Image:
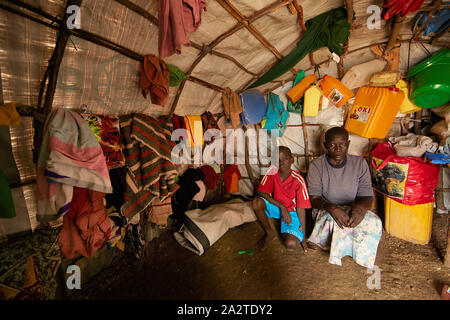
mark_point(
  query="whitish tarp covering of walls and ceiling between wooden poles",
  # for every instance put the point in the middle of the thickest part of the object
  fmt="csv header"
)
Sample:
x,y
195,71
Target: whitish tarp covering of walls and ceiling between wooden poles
x,y
108,82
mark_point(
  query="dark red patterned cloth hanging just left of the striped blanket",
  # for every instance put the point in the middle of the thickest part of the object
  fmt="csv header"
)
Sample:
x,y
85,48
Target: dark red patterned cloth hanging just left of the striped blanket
x,y
106,130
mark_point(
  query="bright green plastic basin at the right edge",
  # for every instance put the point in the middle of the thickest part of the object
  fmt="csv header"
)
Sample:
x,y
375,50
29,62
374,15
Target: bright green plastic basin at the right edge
x,y
430,80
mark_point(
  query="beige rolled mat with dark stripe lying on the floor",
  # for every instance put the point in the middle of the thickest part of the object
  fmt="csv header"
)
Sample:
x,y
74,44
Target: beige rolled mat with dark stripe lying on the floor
x,y
203,228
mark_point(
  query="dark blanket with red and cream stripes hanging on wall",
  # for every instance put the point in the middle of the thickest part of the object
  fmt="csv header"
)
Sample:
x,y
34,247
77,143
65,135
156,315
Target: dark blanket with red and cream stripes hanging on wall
x,y
150,173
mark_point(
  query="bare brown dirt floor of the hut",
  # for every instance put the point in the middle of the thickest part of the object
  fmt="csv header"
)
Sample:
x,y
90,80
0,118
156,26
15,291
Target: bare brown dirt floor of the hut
x,y
408,271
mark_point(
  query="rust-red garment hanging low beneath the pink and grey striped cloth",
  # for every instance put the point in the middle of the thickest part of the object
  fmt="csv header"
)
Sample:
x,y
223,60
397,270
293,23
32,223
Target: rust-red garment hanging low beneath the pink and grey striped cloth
x,y
86,225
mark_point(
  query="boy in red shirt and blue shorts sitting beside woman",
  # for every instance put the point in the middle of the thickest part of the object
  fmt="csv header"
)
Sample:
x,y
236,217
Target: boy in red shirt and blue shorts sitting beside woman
x,y
282,193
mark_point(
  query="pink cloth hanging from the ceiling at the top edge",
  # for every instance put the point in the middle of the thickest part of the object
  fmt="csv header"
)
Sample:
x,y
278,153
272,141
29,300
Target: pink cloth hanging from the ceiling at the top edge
x,y
176,17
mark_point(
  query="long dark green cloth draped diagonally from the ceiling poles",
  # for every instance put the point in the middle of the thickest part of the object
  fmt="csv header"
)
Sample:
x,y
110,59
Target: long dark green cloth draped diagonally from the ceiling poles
x,y
328,29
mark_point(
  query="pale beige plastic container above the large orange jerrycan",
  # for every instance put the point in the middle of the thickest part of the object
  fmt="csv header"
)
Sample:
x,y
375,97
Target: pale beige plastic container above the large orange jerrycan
x,y
359,75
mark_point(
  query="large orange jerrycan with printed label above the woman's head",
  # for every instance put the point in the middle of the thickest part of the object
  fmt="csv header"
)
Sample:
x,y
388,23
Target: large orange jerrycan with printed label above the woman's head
x,y
374,111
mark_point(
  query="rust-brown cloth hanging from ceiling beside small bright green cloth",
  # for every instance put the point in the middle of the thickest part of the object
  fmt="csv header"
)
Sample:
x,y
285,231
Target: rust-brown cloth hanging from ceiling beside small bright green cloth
x,y
155,79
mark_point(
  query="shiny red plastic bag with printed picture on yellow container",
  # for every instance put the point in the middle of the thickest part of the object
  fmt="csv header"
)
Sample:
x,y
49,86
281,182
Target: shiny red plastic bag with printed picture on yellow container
x,y
408,180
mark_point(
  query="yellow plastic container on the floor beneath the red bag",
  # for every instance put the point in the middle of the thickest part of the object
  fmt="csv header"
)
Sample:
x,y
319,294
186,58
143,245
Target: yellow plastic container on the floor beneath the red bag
x,y
410,223
